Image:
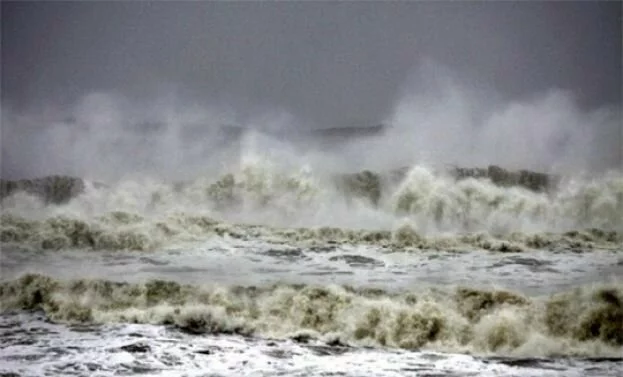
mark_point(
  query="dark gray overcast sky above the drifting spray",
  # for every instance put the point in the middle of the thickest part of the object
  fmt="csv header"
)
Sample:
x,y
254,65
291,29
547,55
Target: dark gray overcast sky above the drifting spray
x,y
327,62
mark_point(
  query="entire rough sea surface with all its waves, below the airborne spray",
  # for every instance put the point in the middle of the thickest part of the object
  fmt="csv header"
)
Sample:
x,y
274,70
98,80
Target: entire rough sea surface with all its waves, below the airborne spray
x,y
271,271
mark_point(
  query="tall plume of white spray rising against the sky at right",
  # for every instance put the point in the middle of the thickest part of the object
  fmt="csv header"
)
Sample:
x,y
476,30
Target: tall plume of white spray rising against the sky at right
x,y
450,121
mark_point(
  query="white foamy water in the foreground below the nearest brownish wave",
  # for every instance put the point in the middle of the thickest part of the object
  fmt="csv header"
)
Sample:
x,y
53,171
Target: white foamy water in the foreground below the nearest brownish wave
x,y
34,347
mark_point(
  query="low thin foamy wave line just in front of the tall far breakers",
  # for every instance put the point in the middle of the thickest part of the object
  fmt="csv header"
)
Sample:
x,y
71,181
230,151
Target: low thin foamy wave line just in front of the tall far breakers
x,y
127,231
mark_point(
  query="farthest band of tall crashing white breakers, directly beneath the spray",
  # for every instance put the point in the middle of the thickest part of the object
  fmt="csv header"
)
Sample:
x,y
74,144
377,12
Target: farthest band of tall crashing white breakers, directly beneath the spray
x,y
420,207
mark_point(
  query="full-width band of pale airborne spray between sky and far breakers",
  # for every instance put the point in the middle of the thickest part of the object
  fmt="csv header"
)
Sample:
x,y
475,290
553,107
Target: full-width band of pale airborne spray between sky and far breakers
x,y
436,119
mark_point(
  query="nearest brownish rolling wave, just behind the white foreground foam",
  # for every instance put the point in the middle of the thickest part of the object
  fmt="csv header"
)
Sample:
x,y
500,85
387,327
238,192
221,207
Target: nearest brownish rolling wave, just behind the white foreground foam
x,y
585,322
